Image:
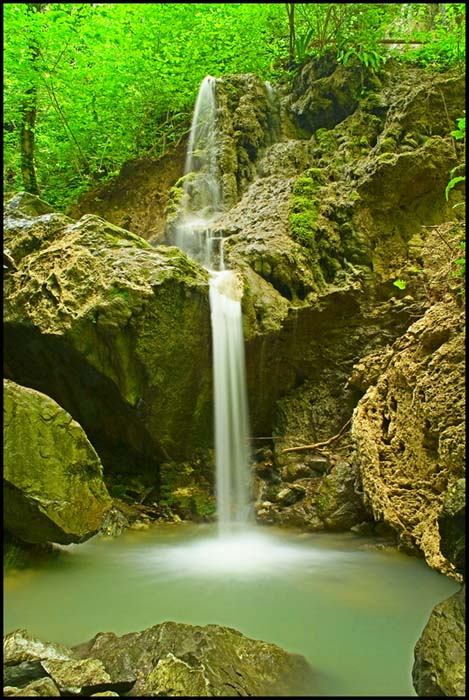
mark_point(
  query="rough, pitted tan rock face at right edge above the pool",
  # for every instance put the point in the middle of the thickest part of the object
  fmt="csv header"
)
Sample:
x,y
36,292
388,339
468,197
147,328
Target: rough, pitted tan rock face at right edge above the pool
x,y
409,431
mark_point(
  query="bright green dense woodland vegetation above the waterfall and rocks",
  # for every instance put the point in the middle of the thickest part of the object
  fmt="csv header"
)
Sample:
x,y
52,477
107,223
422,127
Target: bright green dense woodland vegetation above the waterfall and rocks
x,y
89,86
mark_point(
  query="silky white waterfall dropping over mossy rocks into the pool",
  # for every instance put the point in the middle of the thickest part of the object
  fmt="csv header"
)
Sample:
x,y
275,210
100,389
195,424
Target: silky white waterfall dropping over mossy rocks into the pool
x,y
202,205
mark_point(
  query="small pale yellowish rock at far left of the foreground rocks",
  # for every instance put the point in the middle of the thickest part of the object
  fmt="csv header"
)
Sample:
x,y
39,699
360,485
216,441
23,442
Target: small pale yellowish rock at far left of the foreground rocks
x,y
20,646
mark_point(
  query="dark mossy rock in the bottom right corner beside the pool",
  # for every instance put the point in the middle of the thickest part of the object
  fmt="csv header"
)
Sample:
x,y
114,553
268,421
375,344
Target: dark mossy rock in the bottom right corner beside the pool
x,y
440,654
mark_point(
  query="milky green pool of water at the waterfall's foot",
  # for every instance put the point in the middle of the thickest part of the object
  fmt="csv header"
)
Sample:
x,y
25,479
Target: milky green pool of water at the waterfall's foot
x,y
353,612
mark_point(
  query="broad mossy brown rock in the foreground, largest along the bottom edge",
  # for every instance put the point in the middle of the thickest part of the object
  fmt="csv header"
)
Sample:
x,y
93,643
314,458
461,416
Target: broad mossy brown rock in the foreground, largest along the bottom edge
x,y
185,660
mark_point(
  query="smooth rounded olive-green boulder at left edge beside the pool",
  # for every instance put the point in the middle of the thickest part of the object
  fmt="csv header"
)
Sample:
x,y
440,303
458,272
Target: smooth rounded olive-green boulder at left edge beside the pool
x,y
53,478
